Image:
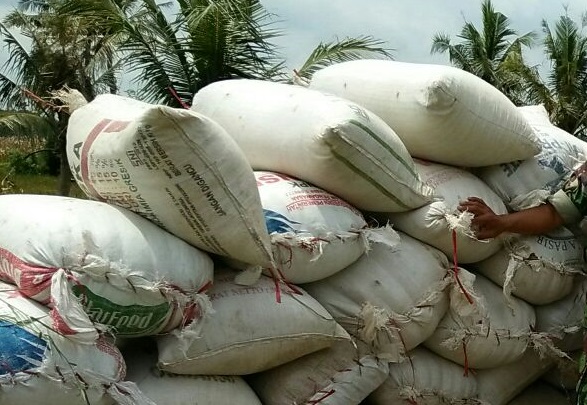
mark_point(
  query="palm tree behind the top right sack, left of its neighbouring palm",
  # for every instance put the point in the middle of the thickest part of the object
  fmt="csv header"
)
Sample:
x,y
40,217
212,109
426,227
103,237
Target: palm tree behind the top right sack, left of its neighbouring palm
x,y
486,53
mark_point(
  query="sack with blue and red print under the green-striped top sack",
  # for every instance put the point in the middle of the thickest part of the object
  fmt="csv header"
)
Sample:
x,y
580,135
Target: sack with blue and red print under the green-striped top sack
x,y
314,233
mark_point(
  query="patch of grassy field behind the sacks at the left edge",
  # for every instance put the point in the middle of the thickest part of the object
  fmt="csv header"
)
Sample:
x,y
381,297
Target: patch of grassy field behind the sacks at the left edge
x,y
11,183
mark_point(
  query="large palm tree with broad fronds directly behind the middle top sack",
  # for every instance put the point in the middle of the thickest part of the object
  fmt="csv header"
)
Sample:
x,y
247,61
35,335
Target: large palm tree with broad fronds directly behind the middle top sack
x,y
173,54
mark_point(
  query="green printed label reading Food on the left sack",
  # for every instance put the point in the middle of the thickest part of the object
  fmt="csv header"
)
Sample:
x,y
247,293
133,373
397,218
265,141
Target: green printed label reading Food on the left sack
x,y
126,320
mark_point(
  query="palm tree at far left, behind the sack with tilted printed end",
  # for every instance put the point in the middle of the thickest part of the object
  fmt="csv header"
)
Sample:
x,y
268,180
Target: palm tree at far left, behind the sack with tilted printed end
x,y
62,52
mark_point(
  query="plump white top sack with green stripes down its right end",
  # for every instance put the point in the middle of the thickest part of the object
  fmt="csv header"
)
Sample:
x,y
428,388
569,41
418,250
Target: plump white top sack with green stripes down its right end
x,y
325,140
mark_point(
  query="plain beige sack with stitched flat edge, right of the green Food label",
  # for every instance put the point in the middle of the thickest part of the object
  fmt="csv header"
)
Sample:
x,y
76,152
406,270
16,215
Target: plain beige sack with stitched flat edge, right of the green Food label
x,y
250,331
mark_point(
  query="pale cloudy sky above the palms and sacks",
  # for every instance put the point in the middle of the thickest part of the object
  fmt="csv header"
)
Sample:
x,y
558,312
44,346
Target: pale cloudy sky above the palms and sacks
x,y
406,26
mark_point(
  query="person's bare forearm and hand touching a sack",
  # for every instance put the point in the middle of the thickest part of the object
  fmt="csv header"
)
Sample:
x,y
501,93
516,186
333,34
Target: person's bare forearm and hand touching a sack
x,y
532,221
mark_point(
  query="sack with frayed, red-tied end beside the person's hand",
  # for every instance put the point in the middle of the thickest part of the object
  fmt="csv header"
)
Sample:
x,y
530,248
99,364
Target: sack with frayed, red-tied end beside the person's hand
x,y
434,223
